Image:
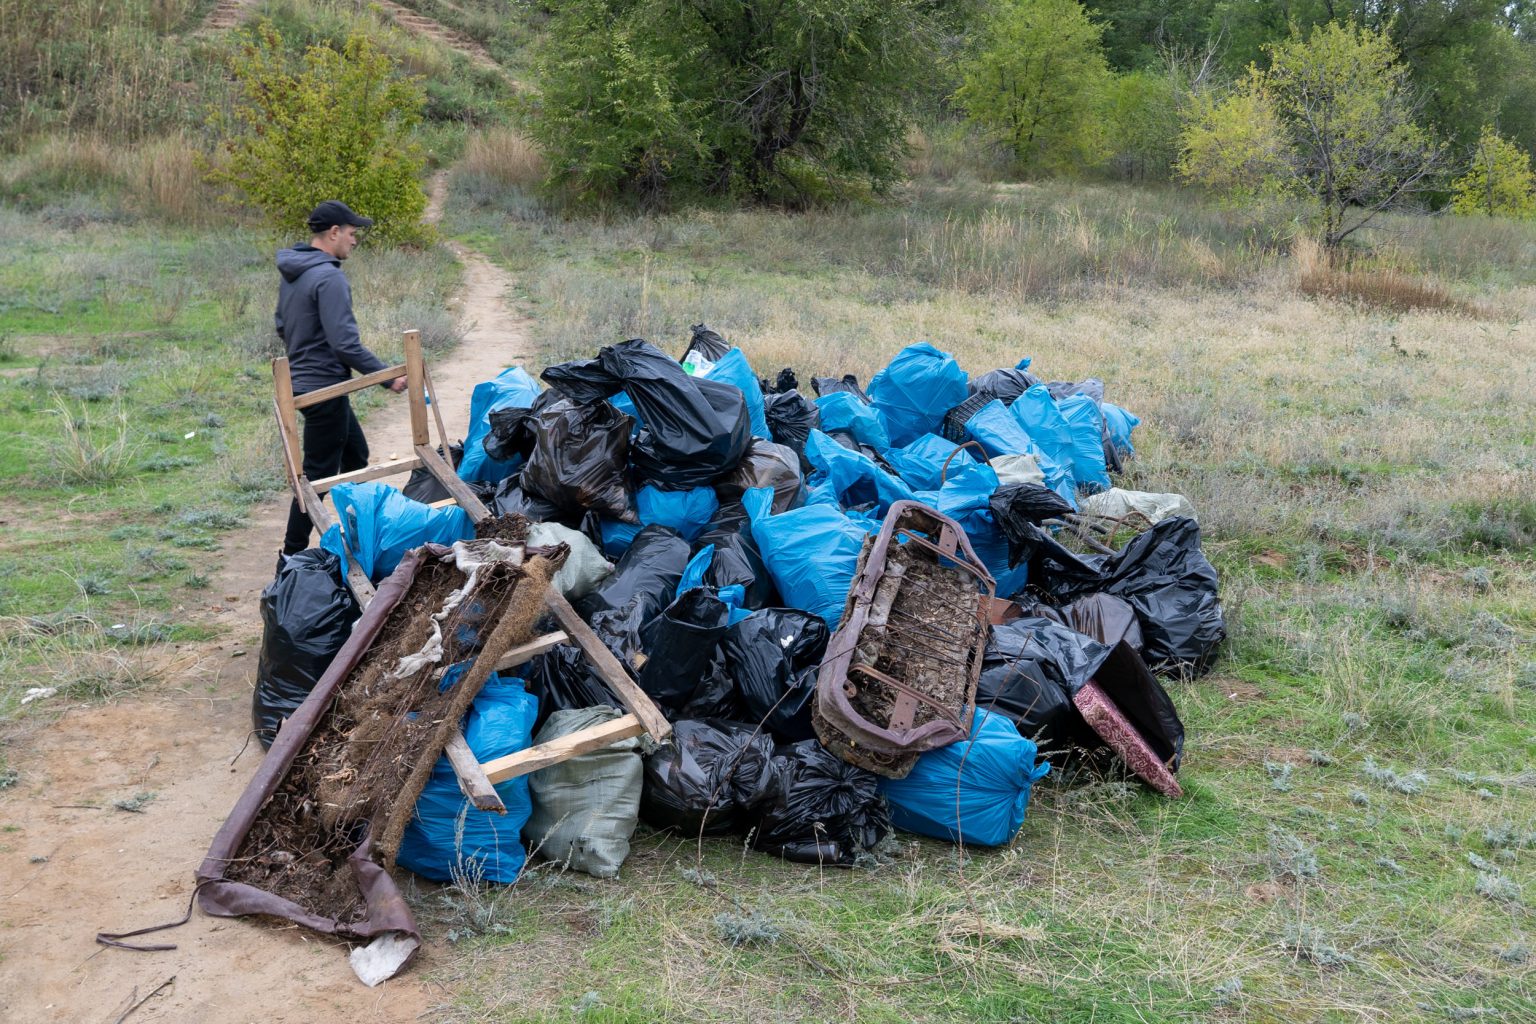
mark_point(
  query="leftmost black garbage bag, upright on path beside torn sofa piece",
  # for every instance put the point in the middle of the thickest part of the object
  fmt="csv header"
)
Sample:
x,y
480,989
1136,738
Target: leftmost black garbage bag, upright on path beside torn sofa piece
x,y
306,616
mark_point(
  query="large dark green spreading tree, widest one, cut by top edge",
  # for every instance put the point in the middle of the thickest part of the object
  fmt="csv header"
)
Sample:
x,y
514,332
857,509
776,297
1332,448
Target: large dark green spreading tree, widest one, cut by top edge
x,y
767,101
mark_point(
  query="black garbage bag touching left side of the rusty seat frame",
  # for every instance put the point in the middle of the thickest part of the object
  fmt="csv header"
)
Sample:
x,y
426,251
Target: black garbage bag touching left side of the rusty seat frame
x,y
772,656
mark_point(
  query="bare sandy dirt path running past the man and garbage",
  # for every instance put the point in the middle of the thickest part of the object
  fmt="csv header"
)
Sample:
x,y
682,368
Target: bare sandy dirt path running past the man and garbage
x,y
73,865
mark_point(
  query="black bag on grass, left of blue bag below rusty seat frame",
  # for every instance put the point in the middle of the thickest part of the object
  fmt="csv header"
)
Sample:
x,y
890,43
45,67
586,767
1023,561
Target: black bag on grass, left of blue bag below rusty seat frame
x,y
826,811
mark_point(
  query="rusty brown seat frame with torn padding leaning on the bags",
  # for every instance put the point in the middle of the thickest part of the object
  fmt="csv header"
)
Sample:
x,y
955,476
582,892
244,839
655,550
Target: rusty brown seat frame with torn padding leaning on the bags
x,y
901,673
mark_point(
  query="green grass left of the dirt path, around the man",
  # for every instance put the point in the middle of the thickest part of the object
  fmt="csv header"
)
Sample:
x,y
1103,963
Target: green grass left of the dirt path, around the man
x,y
141,431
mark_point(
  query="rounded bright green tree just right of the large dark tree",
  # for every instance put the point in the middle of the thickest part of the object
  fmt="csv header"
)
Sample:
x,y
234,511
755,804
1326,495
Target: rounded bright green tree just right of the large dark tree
x,y
1038,82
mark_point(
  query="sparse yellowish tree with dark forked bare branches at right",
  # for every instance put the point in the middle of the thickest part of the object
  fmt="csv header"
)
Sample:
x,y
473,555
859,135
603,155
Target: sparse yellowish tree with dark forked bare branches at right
x,y
1331,121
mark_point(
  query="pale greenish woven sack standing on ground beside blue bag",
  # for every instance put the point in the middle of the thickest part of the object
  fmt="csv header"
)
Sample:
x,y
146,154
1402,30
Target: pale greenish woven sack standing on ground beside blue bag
x,y
586,810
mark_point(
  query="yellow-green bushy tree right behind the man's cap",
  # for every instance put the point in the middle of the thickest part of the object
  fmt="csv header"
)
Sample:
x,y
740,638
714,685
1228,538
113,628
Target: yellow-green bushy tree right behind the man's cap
x,y
337,128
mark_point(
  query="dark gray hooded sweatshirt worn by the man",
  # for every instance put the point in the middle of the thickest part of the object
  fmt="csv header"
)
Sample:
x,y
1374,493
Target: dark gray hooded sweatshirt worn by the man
x,y
316,322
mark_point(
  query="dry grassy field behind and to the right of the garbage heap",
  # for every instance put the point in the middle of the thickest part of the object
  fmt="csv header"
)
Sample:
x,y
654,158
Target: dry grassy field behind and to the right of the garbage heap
x,y
1368,509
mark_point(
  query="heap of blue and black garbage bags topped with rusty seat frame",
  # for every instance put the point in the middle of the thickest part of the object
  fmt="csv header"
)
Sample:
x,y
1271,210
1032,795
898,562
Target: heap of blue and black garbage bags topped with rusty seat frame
x,y
862,609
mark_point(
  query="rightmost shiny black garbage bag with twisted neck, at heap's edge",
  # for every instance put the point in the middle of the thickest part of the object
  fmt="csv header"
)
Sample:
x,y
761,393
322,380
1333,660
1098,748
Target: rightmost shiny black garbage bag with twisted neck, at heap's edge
x,y
1171,586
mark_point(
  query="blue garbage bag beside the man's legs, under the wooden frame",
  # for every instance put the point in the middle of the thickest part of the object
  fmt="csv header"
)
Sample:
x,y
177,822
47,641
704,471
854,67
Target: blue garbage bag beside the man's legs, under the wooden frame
x,y
383,526
